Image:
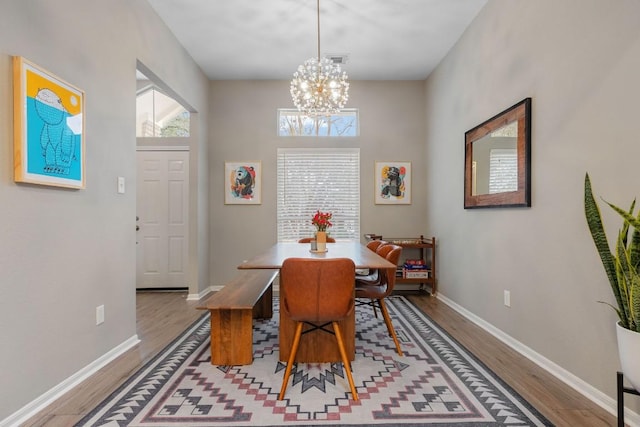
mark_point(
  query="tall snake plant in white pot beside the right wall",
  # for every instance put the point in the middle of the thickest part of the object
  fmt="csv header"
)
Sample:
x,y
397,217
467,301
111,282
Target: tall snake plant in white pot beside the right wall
x,y
623,271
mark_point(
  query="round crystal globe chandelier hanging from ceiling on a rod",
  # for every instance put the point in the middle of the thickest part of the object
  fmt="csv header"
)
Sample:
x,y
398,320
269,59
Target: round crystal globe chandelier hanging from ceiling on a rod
x,y
319,87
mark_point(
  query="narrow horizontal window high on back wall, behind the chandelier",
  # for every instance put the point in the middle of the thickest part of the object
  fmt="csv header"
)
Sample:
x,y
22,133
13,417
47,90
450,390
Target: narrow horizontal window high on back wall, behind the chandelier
x,y
294,123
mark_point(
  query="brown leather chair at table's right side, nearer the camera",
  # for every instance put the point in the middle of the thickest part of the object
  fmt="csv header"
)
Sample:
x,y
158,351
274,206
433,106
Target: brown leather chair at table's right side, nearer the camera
x,y
377,291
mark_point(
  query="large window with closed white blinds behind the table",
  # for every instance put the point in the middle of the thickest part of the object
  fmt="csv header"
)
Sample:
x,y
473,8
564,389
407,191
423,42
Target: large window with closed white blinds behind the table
x,y
311,179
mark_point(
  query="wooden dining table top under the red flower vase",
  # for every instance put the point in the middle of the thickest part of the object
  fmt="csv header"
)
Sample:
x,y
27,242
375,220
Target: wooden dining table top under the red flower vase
x,y
273,258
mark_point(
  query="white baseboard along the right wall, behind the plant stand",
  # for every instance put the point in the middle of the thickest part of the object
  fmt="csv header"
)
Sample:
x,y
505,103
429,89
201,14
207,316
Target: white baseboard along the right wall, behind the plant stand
x,y
596,396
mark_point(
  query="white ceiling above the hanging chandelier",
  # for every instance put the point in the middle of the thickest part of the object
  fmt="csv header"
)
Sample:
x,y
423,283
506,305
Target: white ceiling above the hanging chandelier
x,y
268,39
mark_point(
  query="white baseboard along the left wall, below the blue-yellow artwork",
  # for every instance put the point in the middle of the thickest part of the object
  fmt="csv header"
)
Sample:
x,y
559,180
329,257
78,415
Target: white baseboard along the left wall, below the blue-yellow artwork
x,y
35,406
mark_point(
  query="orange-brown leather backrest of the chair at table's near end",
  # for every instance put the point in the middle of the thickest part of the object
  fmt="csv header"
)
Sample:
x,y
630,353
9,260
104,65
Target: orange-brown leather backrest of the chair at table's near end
x,y
317,290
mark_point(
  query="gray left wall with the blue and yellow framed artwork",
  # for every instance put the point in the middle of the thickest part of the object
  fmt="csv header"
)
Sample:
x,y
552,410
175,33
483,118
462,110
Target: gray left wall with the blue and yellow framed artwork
x,y
64,252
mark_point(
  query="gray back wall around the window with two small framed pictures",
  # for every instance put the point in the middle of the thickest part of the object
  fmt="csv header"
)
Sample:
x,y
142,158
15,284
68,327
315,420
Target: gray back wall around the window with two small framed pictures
x,y
244,127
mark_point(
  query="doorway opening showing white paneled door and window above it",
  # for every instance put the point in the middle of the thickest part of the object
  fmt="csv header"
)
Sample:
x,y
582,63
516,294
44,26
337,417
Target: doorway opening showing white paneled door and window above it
x,y
163,137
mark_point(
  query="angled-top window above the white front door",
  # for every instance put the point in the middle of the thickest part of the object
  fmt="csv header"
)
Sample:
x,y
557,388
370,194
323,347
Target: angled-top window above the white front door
x,y
158,115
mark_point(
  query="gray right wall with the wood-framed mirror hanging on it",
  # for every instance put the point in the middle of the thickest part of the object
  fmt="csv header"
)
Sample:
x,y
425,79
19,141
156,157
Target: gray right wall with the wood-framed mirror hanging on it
x,y
579,62
